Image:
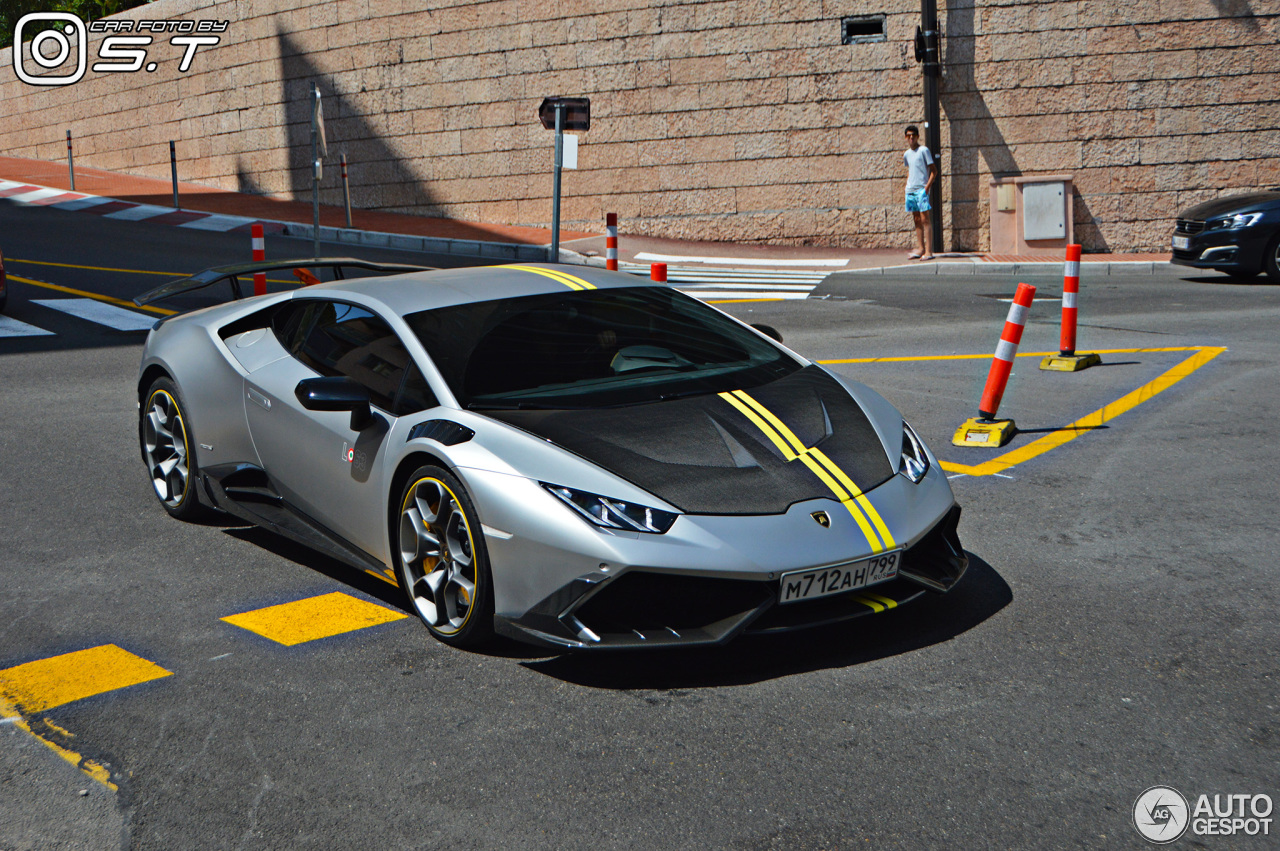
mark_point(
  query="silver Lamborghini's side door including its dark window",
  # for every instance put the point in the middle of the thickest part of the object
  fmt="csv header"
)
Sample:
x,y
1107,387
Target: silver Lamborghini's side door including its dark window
x,y
321,465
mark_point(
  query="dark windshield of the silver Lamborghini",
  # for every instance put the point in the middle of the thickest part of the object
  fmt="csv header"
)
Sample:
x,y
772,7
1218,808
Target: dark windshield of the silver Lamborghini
x,y
593,349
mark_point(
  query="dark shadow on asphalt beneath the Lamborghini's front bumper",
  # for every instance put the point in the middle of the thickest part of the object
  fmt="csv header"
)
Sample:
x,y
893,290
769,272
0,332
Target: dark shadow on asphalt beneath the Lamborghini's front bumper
x,y
749,660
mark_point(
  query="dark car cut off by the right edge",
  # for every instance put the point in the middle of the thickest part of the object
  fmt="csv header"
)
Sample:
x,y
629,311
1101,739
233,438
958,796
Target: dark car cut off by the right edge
x,y
1238,235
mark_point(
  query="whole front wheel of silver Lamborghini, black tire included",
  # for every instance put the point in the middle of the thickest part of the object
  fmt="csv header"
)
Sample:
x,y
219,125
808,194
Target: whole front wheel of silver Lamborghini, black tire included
x,y
442,561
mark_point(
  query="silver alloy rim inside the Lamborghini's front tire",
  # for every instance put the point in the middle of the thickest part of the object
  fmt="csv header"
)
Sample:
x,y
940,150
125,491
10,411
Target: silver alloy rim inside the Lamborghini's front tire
x,y
438,556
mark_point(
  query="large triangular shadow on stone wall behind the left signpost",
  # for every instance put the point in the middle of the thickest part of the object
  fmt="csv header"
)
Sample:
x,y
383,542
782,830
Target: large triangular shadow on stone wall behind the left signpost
x,y
380,179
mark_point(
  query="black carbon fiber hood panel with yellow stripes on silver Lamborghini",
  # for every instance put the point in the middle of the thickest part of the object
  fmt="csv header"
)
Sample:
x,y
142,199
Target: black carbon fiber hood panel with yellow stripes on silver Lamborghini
x,y
726,454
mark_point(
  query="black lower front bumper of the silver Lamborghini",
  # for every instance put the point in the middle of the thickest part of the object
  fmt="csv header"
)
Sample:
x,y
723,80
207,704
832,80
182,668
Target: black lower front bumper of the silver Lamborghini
x,y
647,608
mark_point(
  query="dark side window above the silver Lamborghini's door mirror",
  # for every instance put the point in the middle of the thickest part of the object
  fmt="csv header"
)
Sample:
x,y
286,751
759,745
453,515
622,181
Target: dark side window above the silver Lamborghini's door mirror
x,y
335,338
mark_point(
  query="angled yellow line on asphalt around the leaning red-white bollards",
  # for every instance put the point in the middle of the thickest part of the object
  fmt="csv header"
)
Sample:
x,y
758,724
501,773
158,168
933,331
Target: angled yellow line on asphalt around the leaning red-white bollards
x,y
1068,433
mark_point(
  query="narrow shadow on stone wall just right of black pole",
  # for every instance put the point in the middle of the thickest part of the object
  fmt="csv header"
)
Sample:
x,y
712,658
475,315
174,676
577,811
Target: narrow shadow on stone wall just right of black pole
x,y
975,132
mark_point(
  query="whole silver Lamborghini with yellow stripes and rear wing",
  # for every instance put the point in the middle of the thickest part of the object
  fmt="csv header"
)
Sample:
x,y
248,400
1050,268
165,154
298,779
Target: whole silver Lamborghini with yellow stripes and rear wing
x,y
569,457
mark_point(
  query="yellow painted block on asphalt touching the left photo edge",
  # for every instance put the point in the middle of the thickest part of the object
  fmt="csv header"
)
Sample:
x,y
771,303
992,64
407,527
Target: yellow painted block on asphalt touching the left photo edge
x,y
45,684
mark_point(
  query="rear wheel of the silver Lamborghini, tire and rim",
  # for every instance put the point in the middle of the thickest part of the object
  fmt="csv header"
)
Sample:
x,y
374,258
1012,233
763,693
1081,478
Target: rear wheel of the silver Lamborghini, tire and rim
x,y
164,438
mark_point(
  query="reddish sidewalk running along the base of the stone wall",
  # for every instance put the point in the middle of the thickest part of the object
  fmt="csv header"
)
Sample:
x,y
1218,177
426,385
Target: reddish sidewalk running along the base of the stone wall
x,y
452,236
